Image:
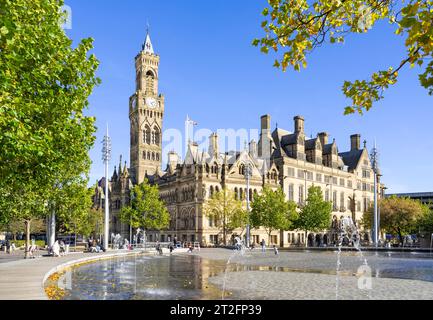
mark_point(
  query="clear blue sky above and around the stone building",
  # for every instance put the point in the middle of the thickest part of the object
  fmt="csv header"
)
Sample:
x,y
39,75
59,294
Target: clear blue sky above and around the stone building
x,y
210,71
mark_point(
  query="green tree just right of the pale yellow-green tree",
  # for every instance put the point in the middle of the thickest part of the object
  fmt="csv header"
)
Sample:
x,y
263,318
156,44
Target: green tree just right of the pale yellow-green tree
x,y
271,211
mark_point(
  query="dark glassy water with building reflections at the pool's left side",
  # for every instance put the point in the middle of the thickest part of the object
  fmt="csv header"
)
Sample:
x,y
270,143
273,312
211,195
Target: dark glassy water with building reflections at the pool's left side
x,y
145,278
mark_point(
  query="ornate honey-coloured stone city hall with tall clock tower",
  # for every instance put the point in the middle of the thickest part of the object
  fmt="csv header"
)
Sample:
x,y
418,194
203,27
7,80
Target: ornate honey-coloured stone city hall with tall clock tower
x,y
281,158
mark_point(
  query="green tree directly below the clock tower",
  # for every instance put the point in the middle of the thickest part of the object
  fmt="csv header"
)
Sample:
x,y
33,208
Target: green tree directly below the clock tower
x,y
146,209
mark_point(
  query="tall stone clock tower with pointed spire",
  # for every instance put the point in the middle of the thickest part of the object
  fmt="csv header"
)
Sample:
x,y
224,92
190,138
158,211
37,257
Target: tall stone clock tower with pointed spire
x,y
146,111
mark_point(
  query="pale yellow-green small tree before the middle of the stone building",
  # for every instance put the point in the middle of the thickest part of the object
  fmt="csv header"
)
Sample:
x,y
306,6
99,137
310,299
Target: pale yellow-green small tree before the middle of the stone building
x,y
226,211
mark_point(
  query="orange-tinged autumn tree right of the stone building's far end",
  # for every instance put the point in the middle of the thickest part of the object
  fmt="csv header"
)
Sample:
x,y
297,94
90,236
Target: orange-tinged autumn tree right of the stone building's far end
x,y
397,216
